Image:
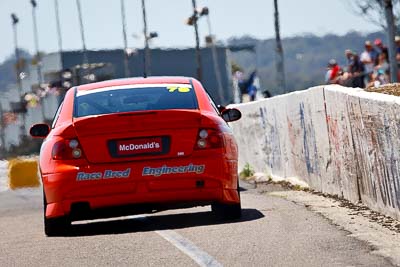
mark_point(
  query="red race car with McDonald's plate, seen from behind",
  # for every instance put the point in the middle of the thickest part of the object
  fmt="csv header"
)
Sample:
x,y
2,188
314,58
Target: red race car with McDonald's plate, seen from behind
x,y
138,145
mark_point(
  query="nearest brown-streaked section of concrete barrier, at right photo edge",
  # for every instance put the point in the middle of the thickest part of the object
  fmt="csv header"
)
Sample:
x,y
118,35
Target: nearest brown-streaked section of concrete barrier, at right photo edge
x,y
376,127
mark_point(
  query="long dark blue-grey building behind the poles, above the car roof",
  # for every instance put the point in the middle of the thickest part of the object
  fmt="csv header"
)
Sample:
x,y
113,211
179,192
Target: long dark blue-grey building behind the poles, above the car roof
x,y
109,64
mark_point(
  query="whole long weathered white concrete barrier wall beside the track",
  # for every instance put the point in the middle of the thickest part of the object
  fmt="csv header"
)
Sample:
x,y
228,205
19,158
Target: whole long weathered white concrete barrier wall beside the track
x,y
339,140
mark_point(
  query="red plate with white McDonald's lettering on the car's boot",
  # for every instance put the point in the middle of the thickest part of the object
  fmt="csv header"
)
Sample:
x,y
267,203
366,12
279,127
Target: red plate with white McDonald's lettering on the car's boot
x,y
139,146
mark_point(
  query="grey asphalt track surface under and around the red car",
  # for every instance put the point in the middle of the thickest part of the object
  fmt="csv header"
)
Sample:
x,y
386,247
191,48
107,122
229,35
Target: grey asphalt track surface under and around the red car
x,y
272,232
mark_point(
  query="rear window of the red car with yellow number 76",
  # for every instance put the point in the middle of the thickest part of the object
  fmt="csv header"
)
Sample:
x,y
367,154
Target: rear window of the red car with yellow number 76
x,y
134,98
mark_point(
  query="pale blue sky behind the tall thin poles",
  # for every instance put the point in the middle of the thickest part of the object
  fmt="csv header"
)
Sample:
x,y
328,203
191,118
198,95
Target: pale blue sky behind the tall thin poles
x,y
229,18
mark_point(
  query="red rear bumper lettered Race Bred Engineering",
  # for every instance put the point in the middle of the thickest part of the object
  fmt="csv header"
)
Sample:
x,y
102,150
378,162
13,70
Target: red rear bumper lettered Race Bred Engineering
x,y
157,184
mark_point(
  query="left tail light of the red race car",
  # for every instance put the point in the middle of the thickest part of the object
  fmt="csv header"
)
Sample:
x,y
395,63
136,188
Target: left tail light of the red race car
x,y
67,149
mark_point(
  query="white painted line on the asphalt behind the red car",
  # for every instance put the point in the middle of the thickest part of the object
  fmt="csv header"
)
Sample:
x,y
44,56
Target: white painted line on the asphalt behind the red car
x,y
201,257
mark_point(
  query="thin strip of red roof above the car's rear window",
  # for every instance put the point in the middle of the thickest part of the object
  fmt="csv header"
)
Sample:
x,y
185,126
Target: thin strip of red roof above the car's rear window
x,y
131,81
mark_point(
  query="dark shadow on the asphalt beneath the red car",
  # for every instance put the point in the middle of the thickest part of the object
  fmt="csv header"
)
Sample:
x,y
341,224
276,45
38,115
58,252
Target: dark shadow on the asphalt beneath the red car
x,y
157,222
